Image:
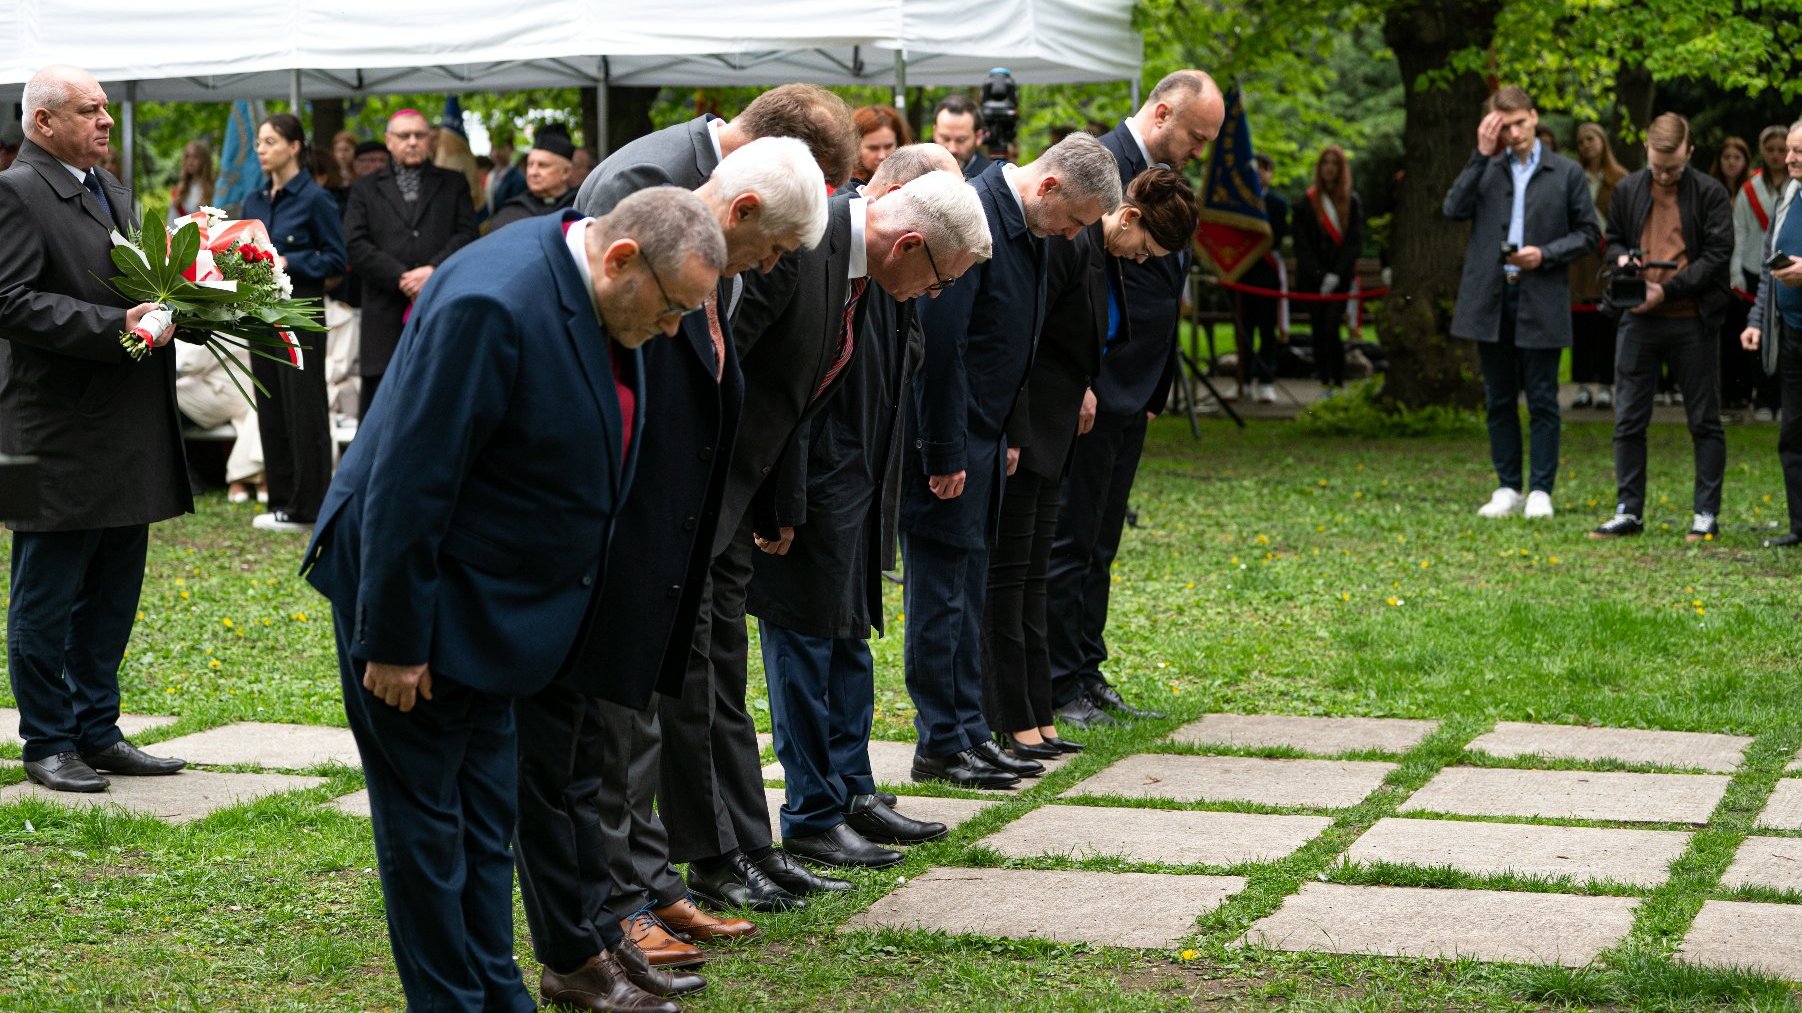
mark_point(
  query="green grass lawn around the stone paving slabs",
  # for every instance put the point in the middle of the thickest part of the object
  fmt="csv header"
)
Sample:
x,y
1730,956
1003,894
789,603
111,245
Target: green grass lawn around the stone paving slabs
x,y
1271,572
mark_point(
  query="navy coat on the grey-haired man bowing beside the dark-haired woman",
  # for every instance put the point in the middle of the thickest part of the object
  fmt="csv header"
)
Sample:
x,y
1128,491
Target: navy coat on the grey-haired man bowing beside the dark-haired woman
x,y
979,347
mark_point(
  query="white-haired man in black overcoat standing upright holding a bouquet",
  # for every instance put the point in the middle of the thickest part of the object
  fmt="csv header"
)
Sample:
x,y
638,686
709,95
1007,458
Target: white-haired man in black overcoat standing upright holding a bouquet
x,y
102,424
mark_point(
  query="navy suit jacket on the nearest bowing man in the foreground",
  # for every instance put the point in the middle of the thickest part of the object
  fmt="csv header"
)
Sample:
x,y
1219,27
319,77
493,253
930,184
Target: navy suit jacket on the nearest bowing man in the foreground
x,y
469,522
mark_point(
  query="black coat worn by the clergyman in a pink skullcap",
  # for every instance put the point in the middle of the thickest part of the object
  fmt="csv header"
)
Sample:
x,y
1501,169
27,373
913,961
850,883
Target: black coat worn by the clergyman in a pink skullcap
x,y
387,239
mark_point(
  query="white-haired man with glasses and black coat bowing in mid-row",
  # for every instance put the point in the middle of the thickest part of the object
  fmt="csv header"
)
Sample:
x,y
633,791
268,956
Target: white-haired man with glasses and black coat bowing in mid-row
x,y
797,333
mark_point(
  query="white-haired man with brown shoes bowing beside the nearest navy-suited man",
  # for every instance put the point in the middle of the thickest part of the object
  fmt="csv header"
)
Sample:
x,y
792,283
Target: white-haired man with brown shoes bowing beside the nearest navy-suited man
x,y
594,859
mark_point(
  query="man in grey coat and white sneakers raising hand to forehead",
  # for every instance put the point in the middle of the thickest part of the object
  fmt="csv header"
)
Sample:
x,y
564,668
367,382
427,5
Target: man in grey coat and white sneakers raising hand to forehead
x,y
1531,217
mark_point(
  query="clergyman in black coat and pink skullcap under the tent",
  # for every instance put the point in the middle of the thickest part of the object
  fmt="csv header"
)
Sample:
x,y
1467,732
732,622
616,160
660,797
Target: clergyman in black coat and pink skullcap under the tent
x,y
399,226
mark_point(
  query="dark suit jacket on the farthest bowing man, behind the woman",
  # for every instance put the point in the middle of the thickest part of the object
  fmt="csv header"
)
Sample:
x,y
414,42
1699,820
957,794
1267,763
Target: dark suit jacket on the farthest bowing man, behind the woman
x,y
1136,378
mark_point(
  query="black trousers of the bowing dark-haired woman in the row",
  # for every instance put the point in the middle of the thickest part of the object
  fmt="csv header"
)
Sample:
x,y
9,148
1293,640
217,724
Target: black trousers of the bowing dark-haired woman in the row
x,y
1015,657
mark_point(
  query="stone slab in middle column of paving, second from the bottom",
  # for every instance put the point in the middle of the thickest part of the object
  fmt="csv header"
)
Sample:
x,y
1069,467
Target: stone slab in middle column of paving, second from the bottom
x,y
1641,859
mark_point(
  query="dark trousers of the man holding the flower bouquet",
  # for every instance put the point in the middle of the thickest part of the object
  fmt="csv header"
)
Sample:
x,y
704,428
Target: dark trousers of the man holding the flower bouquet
x,y
75,599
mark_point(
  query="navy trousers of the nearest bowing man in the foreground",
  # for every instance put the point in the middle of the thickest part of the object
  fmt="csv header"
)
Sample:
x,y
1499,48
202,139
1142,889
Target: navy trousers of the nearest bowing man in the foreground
x,y
442,796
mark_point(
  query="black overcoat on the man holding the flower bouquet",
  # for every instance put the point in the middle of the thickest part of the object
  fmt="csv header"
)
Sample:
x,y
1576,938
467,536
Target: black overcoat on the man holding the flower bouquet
x,y
102,424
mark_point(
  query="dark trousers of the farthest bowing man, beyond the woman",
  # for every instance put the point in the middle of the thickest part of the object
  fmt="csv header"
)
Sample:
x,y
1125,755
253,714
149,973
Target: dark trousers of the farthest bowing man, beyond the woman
x,y
1091,516
